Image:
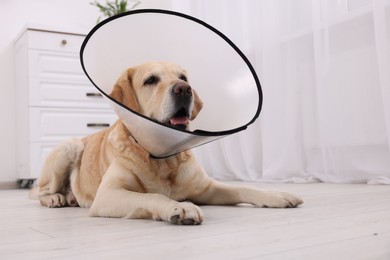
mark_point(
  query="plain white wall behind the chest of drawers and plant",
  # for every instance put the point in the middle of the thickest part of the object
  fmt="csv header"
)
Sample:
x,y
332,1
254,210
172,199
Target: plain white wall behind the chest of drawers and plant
x,y
13,17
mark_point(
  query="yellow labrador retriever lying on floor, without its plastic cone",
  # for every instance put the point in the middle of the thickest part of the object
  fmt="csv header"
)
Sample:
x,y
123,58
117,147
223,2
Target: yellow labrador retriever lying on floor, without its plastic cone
x,y
112,175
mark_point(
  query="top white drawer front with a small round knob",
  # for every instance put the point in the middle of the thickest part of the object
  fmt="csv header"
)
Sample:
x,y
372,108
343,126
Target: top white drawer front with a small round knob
x,y
61,42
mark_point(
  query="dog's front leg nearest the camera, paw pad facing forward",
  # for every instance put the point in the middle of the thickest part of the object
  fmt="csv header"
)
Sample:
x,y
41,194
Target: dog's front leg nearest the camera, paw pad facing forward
x,y
115,198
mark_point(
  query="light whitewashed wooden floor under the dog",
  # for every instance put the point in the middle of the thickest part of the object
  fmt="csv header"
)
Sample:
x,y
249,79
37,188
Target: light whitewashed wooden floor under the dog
x,y
336,222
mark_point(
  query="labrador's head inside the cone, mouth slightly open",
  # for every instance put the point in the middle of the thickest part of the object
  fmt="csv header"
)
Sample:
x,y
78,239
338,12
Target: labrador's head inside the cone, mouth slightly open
x,y
160,91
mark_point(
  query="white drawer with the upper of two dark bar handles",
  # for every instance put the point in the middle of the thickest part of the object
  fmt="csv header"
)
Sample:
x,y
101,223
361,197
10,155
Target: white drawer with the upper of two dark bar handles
x,y
56,93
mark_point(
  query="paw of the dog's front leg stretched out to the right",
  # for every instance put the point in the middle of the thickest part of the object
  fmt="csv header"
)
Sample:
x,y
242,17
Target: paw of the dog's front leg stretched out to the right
x,y
276,199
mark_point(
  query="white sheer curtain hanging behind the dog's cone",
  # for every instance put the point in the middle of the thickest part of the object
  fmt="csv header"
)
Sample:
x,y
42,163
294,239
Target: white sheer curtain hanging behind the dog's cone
x,y
324,66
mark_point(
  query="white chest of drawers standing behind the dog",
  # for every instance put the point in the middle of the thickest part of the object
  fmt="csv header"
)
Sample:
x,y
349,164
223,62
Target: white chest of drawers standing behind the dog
x,y
54,99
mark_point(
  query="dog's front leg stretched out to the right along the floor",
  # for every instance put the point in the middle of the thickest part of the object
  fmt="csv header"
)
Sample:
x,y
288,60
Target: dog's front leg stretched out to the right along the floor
x,y
218,193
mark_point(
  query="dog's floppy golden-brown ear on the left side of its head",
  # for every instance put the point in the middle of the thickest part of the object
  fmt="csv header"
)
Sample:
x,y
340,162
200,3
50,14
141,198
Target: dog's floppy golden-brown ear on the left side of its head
x,y
123,91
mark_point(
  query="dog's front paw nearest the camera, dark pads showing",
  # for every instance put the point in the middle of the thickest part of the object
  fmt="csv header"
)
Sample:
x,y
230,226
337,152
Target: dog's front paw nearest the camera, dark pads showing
x,y
186,213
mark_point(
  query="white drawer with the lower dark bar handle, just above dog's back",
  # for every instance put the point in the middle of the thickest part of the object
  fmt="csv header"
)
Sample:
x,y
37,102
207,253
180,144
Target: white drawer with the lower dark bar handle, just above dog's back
x,y
53,125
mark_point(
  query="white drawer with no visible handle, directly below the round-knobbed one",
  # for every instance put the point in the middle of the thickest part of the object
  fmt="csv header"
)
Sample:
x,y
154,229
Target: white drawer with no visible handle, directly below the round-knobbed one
x,y
46,65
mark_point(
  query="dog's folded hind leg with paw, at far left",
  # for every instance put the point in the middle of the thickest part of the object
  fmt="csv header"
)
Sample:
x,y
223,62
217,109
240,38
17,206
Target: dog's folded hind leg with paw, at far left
x,y
54,181
